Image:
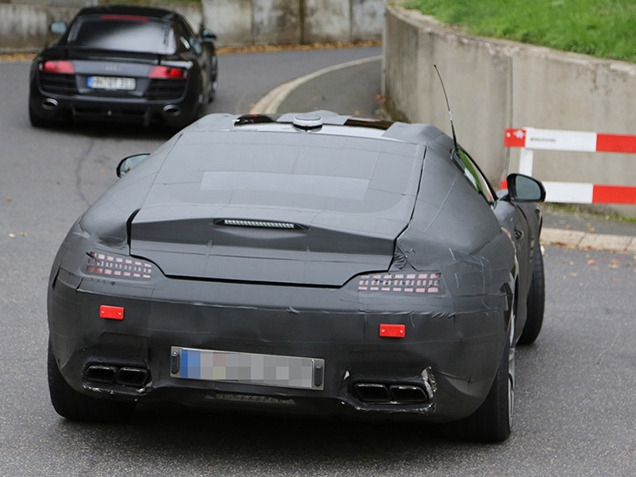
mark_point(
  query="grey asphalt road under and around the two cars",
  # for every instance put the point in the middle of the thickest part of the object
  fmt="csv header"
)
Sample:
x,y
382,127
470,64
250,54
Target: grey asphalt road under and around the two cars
x,y
575,410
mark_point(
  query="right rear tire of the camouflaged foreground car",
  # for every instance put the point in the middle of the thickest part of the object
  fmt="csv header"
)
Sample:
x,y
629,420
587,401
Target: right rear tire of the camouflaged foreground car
x,y
492,422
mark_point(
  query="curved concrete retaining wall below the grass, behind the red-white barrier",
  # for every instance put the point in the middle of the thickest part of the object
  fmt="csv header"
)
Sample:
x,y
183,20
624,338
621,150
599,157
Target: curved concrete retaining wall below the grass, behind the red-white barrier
x,y
495,84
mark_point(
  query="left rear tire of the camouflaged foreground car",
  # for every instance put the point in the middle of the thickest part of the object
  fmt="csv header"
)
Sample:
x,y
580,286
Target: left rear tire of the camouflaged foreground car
x,y
75,406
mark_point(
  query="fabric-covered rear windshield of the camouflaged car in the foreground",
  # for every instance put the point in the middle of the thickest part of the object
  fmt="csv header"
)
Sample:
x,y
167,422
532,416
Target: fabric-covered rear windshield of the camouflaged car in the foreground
x,y
262,169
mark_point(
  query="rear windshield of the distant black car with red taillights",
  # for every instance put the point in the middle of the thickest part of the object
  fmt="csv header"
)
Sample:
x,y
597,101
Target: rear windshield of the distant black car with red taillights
x,y
124,33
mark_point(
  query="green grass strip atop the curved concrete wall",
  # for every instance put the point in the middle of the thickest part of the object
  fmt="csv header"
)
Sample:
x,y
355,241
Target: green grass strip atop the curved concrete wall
x,y
600,28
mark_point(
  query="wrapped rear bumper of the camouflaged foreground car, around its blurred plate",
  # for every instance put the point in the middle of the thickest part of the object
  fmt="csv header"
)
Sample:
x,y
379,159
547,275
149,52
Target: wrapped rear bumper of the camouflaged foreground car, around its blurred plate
x,y
441,370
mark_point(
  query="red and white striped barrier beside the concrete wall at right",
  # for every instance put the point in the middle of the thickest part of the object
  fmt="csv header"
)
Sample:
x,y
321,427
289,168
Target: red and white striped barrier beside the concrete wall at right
x,y
530,139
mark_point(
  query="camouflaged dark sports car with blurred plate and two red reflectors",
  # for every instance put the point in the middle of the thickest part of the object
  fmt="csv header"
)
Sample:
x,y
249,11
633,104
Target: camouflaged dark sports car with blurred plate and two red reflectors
x,y
315,262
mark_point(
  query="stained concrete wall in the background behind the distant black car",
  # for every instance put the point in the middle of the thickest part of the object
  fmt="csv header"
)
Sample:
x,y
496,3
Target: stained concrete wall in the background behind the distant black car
x,y
237,22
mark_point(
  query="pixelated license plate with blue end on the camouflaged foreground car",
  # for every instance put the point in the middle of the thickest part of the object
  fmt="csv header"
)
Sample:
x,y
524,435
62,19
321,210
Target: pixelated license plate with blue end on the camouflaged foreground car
x,y
247,368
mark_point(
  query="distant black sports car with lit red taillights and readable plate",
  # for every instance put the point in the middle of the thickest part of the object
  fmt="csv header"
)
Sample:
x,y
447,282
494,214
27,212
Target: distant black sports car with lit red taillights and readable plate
x,y
124,63
